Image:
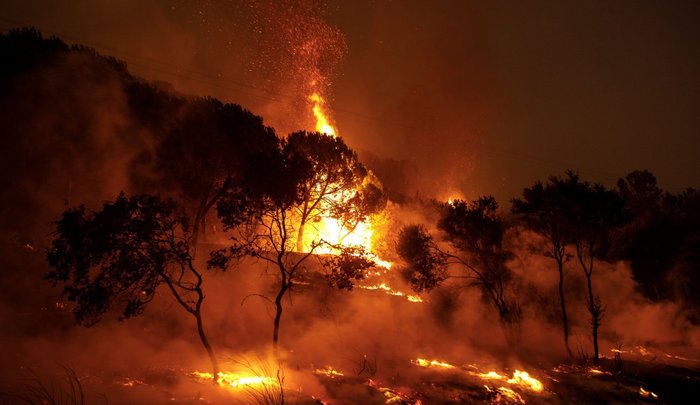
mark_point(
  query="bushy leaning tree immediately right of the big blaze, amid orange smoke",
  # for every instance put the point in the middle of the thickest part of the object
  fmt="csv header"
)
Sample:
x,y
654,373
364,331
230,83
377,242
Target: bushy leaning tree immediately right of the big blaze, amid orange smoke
x,y
474,233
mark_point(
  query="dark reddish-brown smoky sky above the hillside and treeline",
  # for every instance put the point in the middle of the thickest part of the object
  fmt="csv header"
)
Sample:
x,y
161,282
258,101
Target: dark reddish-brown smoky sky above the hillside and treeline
x,y
485,97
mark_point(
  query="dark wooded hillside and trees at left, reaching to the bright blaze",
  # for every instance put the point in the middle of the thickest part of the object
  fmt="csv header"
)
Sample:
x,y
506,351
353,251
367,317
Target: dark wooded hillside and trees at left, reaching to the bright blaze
x,y
186,159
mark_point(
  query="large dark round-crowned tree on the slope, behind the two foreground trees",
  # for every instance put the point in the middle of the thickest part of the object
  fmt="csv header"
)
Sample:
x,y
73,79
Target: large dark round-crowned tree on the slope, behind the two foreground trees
x,y
205,146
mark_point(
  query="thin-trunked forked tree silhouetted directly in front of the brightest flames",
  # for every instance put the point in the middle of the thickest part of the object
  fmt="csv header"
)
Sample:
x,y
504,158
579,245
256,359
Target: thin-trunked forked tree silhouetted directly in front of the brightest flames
x,y
259,213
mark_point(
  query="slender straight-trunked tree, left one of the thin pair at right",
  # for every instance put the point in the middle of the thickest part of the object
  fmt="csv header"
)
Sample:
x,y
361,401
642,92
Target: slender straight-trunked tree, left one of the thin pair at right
x,y
543,208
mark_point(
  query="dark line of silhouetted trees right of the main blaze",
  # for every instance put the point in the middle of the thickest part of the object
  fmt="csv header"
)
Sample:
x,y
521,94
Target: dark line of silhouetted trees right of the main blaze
x,y
583,224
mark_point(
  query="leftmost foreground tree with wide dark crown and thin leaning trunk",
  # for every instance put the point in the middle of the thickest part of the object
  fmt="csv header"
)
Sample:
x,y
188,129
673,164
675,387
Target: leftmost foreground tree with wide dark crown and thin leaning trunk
x,y
120,255
